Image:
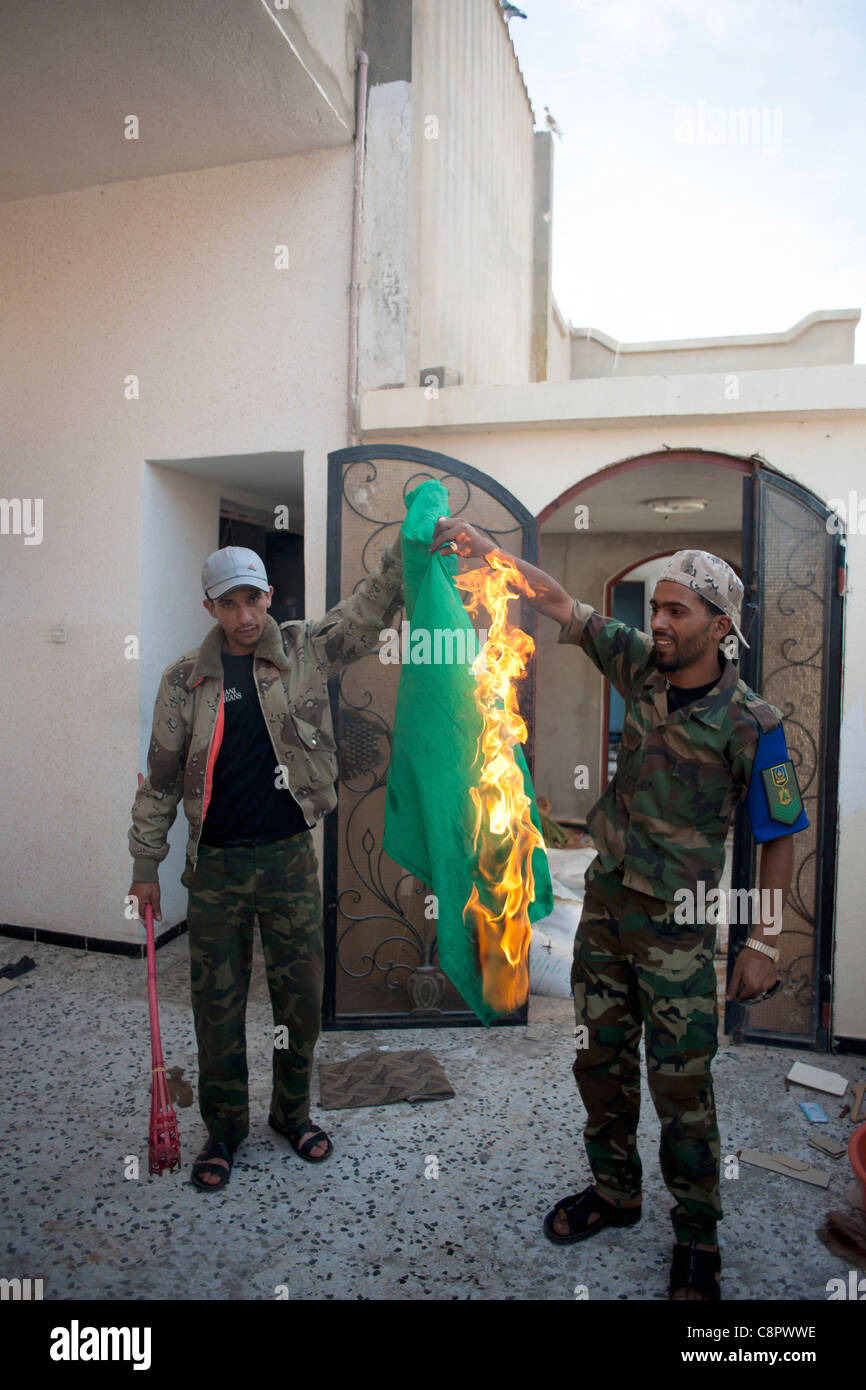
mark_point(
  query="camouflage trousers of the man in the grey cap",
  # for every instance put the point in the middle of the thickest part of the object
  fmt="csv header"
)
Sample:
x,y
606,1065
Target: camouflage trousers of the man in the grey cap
x,y
229,890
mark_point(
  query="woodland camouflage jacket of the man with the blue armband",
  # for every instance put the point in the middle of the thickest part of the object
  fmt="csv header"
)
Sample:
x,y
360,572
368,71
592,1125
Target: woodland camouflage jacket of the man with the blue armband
x,y
664,819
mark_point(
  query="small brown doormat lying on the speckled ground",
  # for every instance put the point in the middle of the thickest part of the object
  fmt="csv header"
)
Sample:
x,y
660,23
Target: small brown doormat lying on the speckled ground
x,y
382,1079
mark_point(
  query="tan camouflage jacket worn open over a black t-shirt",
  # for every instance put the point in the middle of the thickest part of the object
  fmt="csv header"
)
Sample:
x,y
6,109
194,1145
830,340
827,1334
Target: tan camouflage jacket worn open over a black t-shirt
x,y
293,664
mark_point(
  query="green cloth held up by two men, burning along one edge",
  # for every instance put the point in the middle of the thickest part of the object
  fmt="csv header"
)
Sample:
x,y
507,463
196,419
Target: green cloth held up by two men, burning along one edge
x,y
430,815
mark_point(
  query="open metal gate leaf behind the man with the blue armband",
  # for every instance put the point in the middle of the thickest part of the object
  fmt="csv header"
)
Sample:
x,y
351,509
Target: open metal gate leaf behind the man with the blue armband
x,y
792,571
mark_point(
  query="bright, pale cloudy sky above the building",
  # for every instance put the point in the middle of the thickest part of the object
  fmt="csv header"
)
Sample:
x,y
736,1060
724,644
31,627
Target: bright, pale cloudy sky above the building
x,y
671,219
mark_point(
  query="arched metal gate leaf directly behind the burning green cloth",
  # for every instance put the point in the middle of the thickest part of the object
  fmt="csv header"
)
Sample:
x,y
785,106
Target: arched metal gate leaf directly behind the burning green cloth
x,y
382,967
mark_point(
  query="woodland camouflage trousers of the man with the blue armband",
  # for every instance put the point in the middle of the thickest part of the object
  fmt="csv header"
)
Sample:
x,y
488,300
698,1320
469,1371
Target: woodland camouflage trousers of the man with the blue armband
x,y
636,968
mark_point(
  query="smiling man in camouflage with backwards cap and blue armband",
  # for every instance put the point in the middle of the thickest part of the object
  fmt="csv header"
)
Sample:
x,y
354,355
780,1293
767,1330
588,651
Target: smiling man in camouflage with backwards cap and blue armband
x,y
696,743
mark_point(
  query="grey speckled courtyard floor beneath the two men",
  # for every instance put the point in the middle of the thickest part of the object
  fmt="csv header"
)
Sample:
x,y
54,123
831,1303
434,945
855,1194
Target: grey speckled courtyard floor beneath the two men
x,y
369,1224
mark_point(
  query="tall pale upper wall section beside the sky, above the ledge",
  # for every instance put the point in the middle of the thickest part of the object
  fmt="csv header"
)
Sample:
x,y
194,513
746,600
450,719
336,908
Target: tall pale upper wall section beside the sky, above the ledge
x,y
471,245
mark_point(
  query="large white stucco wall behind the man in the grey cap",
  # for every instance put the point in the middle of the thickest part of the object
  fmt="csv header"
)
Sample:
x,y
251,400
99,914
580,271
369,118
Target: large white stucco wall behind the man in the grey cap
x,y
172,280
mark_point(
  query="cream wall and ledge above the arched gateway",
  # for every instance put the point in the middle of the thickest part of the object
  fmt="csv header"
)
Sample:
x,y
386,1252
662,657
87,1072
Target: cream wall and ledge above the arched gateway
x,y
825,451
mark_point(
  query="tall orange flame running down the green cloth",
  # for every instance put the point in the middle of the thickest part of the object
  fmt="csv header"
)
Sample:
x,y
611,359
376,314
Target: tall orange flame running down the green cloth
x,y
505,837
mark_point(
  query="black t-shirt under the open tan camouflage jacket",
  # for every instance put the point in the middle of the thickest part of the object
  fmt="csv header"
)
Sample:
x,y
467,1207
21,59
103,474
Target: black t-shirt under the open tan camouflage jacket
x,y
247,808
